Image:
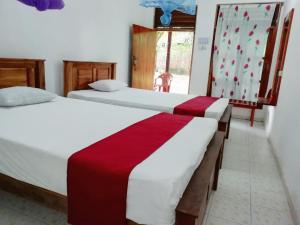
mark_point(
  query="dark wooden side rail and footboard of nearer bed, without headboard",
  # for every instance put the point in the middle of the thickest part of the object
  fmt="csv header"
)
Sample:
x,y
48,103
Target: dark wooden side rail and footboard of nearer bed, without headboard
x,y
189,211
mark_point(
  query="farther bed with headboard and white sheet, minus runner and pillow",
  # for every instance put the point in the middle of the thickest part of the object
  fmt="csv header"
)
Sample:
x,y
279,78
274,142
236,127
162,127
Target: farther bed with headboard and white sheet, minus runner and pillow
x,y
79,74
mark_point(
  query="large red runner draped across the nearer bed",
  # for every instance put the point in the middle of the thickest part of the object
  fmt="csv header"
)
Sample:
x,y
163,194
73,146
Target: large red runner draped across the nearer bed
x,y
98,175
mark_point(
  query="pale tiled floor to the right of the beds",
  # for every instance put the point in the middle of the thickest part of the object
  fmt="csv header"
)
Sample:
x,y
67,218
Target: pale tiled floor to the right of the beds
x,y
250,190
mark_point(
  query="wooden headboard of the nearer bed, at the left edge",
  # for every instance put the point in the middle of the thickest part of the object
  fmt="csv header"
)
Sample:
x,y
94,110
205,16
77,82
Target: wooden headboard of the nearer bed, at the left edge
x,y
22,72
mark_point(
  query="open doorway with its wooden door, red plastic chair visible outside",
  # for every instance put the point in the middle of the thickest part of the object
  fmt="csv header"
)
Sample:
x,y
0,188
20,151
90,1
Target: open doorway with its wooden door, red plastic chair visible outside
x,y
162,57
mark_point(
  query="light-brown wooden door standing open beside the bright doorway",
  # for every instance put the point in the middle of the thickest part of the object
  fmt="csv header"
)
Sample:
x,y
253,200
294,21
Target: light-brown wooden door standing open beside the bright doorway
x,y
143,57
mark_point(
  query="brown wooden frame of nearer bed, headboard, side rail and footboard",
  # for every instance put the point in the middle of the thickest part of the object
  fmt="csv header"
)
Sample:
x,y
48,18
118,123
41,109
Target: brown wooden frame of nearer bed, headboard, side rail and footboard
x,y
192,206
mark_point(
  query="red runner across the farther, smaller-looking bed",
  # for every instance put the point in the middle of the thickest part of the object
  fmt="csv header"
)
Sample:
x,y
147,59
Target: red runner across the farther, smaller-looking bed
x,y
196,106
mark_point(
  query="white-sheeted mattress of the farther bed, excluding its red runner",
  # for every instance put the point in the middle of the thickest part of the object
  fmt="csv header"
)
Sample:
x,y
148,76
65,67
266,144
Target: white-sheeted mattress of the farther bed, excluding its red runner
x,y
145,99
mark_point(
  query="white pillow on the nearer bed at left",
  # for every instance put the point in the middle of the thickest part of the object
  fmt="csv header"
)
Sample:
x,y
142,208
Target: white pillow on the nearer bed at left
x,y
17,96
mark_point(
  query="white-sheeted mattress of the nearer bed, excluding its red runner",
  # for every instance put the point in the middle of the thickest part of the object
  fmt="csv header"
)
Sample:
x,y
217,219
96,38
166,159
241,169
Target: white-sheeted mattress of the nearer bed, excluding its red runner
x,y
36,142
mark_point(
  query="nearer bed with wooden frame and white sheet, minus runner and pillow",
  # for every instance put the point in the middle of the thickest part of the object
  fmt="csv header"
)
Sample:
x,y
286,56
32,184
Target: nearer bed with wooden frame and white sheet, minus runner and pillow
x,y
35,147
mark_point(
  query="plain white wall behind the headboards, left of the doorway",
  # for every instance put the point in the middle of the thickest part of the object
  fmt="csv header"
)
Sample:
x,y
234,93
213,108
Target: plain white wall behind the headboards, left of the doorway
x,y
84,30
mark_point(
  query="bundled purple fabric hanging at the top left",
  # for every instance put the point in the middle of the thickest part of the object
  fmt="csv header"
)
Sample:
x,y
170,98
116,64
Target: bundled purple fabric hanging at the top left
x,y
43,5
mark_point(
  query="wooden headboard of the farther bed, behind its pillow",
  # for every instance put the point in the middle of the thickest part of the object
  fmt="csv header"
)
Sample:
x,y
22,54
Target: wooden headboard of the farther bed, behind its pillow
x,y
79,74
